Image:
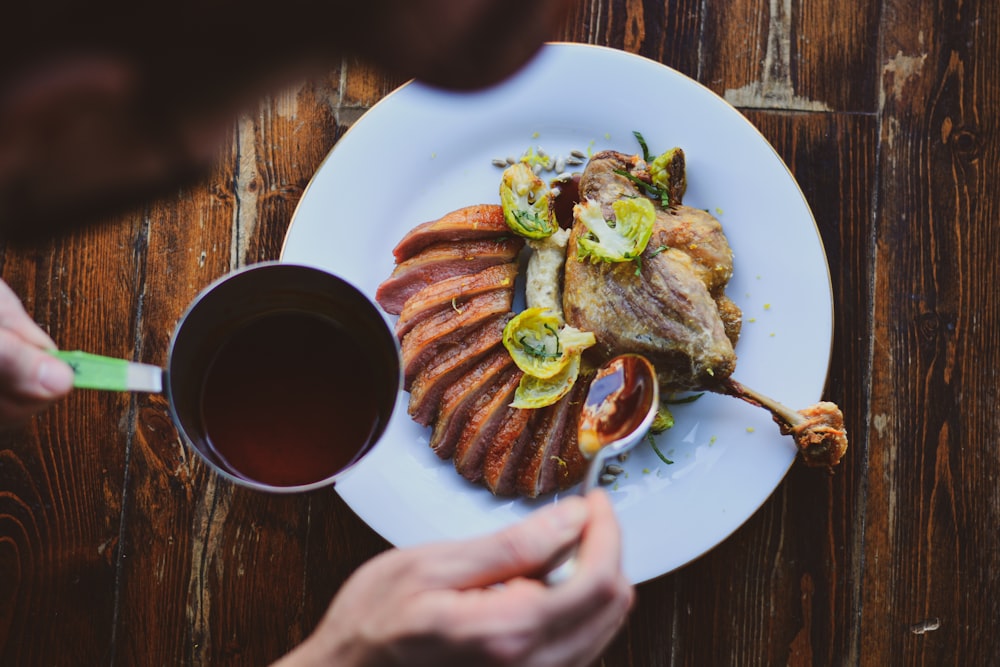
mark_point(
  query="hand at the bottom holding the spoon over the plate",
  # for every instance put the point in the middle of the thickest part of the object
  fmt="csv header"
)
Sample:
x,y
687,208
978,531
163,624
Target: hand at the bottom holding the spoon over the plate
x,y
481,602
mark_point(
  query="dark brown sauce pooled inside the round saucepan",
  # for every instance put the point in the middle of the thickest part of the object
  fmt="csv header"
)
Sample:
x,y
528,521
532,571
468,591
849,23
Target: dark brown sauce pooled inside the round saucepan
x,y
288,400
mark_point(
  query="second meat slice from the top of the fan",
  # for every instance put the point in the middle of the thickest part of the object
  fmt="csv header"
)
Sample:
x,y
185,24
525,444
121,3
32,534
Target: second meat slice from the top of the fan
x,y
442,261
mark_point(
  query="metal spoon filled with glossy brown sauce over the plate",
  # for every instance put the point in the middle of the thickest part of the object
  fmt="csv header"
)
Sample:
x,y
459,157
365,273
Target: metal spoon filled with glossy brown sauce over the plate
x,y
618,411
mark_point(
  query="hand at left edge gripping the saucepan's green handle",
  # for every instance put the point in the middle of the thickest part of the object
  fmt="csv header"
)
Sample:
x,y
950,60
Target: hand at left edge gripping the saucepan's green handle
x,y
30,378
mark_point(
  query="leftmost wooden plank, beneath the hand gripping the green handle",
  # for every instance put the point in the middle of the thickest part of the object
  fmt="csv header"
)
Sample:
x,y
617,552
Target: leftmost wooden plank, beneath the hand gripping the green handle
x,y
61,476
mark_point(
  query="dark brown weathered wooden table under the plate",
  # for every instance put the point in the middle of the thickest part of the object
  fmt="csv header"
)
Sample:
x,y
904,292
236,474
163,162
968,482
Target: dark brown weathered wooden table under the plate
x,y
118,547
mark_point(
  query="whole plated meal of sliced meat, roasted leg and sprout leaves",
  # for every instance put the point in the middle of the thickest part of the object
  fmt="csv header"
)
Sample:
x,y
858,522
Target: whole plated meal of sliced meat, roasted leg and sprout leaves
x,y
635,270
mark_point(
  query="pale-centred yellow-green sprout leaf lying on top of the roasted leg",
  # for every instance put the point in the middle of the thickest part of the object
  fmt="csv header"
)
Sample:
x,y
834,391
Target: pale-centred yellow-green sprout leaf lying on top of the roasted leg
x,y
620,240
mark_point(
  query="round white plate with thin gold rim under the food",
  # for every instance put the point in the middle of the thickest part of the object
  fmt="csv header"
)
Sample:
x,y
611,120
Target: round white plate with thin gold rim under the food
x,y
422,152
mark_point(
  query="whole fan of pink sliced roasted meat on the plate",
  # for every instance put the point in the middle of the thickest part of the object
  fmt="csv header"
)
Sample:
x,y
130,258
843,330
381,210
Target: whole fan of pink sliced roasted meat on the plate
x,y
453,289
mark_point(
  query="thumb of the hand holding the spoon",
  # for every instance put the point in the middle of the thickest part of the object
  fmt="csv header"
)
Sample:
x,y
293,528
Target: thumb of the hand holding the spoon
x,y
526,549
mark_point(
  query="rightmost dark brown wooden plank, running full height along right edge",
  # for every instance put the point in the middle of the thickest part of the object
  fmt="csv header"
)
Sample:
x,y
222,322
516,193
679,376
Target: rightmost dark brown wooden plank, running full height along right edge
x,y
931,553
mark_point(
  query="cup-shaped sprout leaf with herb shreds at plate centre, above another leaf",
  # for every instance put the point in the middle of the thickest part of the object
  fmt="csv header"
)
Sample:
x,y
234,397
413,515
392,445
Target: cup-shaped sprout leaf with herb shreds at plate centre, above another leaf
x,y
539,347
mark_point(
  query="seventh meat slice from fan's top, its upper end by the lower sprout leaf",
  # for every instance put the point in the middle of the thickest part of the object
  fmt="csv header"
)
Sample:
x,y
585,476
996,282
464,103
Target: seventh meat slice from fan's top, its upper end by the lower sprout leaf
x,y
489,411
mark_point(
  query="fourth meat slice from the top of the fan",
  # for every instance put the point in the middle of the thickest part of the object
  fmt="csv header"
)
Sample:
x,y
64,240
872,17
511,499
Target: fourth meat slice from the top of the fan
x,y
432,336
